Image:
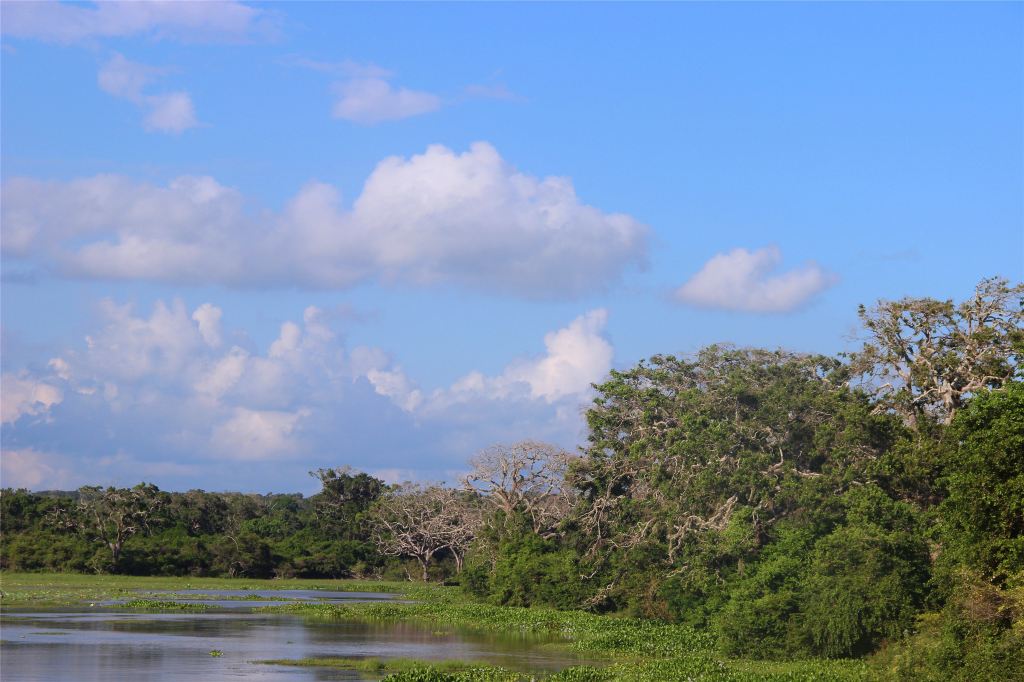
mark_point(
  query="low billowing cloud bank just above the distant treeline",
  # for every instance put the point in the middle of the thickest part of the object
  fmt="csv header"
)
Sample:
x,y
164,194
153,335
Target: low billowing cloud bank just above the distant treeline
x,y
164,396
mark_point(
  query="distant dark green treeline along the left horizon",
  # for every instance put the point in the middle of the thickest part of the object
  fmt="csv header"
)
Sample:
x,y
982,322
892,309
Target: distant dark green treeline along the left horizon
x,y
147,532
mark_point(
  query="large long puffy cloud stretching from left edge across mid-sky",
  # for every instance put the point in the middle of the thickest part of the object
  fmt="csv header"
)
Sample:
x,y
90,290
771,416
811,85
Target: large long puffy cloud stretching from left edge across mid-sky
x,y
441,218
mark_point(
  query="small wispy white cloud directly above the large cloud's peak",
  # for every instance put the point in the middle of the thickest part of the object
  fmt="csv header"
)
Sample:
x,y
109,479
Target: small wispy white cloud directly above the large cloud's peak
x,y
370,101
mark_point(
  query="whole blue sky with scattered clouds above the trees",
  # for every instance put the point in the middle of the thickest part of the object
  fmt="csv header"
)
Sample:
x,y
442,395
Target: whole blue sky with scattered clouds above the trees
x,y
242,242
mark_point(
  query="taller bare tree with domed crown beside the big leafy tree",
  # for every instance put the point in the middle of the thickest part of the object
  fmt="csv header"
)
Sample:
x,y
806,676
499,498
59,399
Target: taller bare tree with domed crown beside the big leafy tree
x,y
529,478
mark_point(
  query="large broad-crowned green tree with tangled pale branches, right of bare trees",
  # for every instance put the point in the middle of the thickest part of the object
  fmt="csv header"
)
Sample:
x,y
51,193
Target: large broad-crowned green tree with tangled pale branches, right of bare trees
x,y
693,462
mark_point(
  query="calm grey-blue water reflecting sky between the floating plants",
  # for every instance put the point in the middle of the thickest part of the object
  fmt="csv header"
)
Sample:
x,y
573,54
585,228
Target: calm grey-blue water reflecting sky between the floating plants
x,y
105,645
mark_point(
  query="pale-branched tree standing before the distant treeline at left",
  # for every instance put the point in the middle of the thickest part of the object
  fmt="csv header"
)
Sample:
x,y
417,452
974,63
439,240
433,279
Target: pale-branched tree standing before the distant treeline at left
x,y
113,516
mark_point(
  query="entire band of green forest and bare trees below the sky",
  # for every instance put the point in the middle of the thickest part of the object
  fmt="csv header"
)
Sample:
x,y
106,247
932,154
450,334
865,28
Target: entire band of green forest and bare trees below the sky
x,y
795,505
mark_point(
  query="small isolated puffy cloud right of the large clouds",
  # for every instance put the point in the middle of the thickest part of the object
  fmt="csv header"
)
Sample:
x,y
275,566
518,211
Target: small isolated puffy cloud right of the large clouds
x,y
743,280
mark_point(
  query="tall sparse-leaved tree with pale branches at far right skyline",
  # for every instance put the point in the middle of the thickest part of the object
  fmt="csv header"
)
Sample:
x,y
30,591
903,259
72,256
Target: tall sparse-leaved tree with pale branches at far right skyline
x,y
926,357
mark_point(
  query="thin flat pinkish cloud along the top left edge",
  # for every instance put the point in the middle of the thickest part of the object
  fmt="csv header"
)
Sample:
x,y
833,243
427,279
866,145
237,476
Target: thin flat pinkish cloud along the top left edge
x,y
73,23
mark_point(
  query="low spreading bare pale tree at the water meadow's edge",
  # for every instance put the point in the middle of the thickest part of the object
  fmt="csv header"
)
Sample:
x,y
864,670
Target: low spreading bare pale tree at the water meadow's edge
x,y
420,522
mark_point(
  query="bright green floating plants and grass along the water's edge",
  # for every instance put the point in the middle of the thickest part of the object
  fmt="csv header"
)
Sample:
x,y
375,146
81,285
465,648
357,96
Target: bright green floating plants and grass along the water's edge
x,y
629,650
